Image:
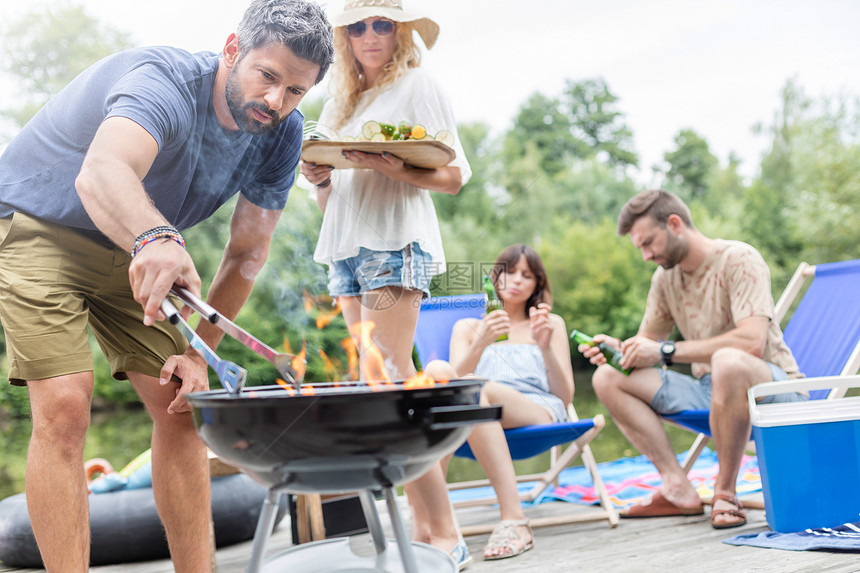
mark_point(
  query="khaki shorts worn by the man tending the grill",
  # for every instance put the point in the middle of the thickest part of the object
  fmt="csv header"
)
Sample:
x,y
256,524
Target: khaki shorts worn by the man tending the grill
x,y
54,282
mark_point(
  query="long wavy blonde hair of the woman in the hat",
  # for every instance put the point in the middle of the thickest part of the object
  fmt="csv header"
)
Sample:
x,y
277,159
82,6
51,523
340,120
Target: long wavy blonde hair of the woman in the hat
x,y
347,80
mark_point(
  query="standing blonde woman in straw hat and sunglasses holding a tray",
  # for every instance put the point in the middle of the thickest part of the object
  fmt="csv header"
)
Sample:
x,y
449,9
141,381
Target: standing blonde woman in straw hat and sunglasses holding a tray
x,y
380,236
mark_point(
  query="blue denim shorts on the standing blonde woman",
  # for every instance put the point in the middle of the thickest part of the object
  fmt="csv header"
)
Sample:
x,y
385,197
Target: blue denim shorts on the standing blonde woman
x,y
370,270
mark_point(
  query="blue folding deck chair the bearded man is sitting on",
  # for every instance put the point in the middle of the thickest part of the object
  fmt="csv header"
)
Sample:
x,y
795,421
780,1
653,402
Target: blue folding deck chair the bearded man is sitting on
x,y
823,334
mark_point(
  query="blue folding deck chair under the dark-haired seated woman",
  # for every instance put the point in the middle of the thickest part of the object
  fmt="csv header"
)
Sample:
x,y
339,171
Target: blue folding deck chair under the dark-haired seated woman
x,y
432,341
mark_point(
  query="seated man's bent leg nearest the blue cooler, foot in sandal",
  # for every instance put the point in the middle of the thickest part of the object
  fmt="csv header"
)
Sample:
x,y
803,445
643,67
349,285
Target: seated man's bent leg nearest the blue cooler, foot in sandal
x,y
733,373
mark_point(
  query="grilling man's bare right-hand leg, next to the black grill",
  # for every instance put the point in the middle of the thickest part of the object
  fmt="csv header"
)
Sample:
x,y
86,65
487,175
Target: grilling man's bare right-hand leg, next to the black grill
x,y
180,478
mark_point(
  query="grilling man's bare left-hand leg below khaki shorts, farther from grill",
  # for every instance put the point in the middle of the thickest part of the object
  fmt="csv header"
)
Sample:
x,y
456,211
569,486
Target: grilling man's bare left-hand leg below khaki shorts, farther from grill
x,y
56,484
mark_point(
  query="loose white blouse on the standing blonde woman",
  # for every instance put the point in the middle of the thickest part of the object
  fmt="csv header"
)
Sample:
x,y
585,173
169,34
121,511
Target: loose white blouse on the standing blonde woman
x,y
368,209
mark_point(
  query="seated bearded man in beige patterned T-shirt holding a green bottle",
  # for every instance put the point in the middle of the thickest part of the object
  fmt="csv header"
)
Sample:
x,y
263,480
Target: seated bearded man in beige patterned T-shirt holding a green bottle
x,y
718,293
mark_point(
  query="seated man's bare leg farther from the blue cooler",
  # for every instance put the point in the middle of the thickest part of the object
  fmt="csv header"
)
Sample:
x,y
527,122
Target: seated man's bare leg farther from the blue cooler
x,y
628,399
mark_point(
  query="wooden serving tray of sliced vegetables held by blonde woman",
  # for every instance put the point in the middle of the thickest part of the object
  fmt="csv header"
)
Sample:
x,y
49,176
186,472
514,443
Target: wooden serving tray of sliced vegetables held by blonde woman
x,y
417,153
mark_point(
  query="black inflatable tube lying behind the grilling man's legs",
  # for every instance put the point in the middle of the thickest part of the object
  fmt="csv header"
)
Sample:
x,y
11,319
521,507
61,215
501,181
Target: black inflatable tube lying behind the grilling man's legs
x,y
125,526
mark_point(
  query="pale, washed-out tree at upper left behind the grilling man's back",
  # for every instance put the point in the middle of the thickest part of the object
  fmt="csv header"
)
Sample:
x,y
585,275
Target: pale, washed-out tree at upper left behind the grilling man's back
x,y
47,47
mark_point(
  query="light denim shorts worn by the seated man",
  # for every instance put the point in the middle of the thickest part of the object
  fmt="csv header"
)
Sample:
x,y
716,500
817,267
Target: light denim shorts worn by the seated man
x,y
681,392
